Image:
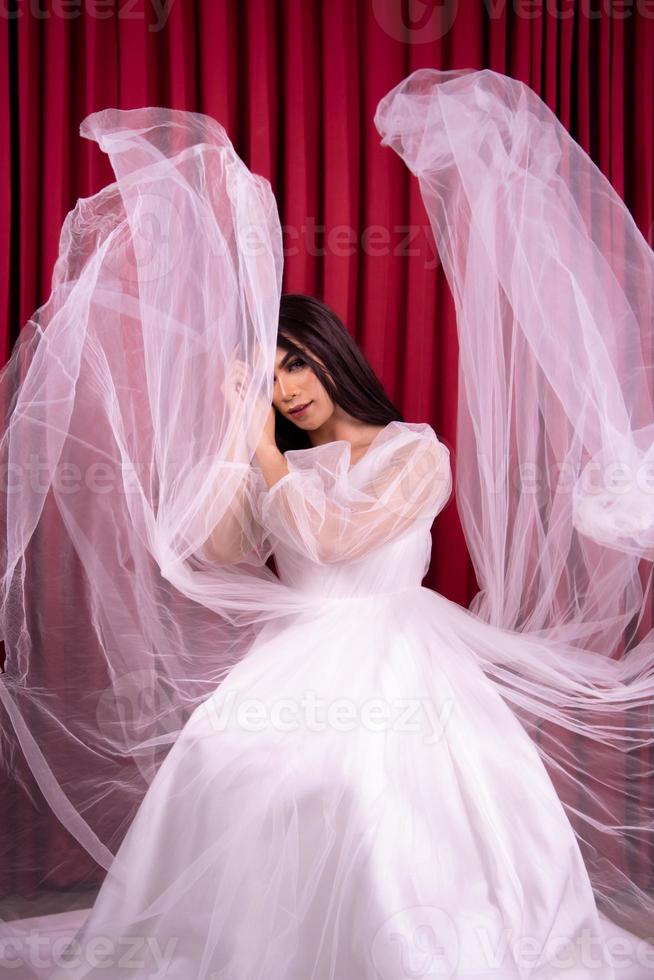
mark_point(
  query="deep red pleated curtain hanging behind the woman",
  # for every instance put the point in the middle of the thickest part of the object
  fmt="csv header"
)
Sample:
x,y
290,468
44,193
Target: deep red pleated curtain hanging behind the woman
x,y
296,83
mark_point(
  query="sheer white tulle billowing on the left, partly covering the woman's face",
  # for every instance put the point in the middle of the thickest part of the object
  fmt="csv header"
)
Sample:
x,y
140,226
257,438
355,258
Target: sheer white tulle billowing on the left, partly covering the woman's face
x,y
121,456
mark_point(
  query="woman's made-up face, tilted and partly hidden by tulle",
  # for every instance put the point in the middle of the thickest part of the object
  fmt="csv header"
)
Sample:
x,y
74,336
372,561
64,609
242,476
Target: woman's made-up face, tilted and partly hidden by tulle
x,y
295,385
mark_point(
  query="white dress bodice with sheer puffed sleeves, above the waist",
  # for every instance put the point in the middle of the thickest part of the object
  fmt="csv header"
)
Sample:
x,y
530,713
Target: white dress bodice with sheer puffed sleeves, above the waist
x,y
338,530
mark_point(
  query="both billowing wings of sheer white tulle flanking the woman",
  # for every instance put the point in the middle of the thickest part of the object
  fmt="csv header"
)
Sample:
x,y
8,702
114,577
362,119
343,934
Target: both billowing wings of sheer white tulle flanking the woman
x,y
120,456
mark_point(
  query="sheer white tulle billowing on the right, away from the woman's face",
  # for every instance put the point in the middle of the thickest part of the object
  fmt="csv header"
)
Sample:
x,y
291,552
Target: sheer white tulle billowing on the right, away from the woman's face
x,y
553,285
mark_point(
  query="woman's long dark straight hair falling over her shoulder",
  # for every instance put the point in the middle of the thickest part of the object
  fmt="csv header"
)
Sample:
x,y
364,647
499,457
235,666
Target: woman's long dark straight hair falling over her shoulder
x,y
353,384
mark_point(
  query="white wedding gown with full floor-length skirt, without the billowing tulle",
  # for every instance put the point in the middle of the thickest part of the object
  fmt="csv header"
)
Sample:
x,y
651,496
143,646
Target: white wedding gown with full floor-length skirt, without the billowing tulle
x,y
355,801
